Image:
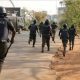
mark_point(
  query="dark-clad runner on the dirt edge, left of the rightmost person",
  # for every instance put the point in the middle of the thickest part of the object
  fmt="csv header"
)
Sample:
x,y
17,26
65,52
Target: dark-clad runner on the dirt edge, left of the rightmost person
x,y
63,33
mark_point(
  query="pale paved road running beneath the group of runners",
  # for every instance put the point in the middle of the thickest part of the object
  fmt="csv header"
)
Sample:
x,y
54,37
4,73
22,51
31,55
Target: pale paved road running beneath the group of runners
x,y
24,62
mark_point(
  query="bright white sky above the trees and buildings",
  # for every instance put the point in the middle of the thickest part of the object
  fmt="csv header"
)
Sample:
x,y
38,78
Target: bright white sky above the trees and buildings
x,y
37,5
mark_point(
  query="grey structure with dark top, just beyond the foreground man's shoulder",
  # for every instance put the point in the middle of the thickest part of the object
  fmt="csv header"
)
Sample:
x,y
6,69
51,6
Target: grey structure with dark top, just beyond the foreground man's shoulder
x,y
14,14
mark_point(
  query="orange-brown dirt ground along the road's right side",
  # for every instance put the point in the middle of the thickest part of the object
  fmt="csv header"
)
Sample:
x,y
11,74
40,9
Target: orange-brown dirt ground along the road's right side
x,y
68,67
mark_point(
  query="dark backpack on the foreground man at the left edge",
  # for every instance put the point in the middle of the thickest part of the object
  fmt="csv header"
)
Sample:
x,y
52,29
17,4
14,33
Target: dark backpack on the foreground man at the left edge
x,y
3,30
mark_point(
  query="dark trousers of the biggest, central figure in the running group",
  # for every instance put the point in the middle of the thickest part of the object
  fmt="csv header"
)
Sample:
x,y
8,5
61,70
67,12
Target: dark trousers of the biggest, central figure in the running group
x,y
45,40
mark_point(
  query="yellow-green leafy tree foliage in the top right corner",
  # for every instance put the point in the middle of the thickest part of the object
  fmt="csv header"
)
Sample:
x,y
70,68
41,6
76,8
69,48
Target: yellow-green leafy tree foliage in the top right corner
x,y
72,12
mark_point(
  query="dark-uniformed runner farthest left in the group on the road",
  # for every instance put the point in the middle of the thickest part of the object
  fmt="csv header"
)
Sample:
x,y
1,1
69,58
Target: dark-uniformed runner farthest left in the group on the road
x,y
33,28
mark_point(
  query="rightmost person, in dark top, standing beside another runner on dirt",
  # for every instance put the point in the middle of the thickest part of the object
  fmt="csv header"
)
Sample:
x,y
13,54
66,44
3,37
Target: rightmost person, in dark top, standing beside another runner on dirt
x,y
72,34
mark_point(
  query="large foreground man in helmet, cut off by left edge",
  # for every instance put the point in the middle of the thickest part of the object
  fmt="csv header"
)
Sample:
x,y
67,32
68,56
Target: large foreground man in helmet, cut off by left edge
x,y
5,26
